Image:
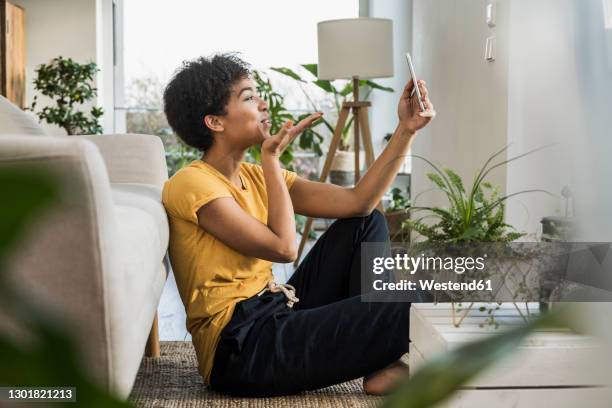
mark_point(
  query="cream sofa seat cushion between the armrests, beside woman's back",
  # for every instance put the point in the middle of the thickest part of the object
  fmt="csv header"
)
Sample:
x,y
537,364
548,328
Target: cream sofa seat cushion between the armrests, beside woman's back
x,y
140,241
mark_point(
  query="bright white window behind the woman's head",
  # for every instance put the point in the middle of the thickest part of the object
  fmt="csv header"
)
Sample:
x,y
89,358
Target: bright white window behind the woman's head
x,y
158,36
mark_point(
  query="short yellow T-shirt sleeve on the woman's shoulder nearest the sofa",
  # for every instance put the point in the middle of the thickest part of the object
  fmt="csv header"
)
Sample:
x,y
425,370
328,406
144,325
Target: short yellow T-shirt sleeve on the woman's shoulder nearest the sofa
x,y
187,191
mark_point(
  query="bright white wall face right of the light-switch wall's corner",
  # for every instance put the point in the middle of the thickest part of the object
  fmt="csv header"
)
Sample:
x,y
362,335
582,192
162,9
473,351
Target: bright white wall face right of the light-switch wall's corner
x,y
543,105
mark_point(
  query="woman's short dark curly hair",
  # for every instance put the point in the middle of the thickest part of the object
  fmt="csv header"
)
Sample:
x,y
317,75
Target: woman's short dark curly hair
x,y
198,88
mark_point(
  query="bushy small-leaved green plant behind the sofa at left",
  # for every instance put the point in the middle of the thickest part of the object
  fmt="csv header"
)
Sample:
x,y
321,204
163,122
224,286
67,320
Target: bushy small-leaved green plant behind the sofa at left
x,y
69,84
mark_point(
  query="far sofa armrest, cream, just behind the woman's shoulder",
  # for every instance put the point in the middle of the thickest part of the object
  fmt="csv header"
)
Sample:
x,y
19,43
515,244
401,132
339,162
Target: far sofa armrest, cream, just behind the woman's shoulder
x,y
133,158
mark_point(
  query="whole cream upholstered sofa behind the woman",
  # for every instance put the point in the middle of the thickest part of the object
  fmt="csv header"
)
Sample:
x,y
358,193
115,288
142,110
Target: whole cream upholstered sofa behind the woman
x,y
99,257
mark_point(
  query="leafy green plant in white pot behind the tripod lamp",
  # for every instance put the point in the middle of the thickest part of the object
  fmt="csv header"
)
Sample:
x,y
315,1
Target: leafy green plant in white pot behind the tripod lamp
x,y
342,170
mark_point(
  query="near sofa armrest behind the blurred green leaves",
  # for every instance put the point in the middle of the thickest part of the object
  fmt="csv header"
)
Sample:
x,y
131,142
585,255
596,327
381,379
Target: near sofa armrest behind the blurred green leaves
x,y
67,261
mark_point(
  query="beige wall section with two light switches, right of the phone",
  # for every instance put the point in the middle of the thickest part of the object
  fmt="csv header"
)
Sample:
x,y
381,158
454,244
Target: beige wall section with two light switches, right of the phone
x,y
469,93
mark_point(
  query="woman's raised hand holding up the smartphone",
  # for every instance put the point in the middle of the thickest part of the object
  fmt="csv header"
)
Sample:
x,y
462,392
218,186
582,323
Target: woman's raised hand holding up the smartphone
x,y
410,116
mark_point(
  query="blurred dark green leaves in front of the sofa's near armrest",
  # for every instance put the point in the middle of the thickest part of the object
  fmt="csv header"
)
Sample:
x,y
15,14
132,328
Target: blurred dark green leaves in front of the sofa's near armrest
x,y
38,352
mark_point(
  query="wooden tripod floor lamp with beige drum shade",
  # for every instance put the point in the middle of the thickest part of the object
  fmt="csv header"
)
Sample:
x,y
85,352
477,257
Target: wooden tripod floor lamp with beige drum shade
x,y
356,48
